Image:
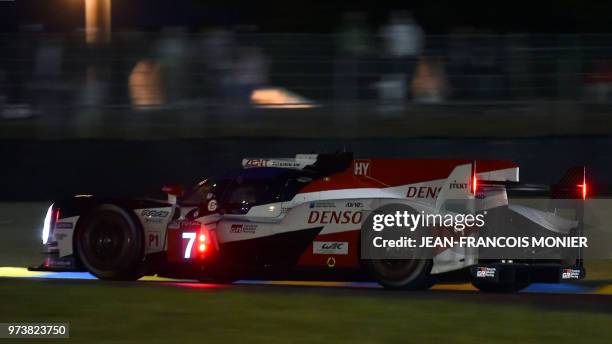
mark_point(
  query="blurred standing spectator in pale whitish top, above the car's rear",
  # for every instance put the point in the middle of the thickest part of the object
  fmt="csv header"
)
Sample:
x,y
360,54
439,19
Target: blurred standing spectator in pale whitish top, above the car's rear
x,y
403,41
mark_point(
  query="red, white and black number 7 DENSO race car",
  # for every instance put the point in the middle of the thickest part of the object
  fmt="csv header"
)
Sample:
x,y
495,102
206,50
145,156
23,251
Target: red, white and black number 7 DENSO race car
x,y
292,216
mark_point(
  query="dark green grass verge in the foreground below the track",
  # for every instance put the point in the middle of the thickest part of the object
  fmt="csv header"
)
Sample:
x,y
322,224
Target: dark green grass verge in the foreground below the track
x,y
128,312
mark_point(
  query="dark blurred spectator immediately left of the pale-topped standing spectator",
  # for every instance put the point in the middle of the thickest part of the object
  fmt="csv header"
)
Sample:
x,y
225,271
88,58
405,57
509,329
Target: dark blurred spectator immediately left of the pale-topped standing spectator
x,y
352,44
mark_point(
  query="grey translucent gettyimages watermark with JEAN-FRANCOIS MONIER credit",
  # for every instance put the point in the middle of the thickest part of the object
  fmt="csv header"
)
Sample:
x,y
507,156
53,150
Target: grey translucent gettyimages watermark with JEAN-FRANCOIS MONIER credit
x,y
503,232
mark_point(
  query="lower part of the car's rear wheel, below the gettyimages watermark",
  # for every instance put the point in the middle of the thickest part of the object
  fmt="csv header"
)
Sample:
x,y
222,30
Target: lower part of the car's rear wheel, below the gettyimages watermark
x,y
401,274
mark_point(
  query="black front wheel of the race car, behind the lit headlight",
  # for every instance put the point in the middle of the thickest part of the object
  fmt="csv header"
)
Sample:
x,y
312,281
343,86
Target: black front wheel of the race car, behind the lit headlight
x,y
110,244
